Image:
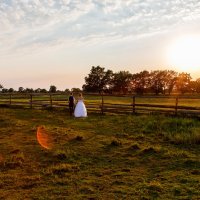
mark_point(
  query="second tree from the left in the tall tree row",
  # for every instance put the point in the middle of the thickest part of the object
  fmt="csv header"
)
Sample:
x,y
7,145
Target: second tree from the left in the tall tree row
x,y
121,81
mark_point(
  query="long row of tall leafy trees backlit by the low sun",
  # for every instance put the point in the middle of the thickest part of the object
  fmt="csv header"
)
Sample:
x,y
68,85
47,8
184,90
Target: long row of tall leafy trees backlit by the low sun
x,y
156,82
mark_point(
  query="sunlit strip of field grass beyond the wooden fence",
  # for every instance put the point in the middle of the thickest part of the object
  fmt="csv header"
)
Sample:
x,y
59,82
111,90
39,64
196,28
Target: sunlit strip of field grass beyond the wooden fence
x,y
162,100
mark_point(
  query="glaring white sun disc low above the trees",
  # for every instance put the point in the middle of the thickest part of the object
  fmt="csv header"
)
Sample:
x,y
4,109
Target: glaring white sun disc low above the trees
x,y
184,53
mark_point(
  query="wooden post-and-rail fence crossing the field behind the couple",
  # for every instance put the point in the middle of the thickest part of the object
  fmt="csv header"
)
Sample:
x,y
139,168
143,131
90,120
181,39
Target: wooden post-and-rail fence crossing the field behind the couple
x,y
121,104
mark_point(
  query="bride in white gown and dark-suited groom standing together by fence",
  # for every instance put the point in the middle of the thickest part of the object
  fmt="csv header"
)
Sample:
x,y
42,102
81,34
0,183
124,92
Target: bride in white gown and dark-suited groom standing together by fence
x,y
80,109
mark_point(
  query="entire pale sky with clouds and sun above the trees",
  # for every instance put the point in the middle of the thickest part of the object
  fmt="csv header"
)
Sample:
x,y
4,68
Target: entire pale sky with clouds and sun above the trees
x,y
56,42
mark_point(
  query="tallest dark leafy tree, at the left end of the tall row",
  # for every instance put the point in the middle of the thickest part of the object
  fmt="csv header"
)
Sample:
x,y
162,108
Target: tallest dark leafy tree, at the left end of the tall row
x,y
97,80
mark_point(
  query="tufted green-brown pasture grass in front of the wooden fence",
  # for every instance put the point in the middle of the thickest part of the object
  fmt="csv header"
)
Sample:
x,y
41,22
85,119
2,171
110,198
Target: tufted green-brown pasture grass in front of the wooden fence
x,y
98,157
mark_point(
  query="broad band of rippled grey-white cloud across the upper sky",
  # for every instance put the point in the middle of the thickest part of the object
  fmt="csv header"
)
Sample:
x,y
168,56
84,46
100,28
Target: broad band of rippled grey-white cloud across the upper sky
x,y
38,24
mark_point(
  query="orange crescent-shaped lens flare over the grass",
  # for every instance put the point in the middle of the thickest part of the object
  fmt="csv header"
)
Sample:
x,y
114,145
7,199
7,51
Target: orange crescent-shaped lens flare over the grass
x,y
44,138
